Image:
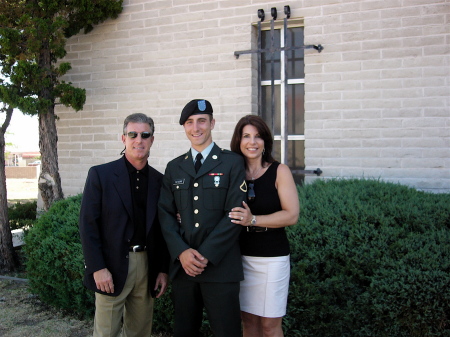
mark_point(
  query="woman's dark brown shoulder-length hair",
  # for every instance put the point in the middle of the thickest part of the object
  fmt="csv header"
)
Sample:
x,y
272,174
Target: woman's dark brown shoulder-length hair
x,y
263,131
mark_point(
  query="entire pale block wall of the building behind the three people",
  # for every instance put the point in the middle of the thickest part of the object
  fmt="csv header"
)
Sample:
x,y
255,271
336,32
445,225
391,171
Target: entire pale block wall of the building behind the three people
x,y
377,97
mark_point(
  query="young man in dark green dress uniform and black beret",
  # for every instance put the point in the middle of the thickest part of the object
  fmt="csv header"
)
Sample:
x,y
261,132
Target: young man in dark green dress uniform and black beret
x,y
206,265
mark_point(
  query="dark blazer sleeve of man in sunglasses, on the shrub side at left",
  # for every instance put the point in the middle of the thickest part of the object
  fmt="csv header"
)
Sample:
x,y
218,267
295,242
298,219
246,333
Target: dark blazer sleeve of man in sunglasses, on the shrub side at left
x,y
90,222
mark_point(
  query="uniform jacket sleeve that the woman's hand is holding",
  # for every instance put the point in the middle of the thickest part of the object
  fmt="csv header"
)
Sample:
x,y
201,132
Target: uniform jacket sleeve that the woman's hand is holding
x,y
225,234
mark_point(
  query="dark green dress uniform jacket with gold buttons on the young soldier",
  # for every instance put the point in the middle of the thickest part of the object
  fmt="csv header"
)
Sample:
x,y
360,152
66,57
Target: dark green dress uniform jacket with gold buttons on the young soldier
x,y
204,200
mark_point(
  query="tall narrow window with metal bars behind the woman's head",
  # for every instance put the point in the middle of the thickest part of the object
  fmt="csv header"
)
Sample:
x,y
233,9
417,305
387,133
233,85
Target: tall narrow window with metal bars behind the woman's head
x,y
286,116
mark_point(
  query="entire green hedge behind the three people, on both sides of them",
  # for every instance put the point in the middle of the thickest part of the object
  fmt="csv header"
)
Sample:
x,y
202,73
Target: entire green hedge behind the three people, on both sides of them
x,y
368,258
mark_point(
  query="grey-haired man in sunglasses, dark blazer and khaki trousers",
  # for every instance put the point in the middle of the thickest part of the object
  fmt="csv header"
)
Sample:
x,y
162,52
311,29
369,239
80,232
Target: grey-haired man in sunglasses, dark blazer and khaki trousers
x,y
126,258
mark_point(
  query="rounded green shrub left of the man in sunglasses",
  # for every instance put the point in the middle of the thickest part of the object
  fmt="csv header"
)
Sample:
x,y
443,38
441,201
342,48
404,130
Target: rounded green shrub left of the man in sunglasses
x,y
55,263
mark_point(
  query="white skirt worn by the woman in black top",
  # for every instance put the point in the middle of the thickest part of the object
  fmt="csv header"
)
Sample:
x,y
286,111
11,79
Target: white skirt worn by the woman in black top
x,y
264,290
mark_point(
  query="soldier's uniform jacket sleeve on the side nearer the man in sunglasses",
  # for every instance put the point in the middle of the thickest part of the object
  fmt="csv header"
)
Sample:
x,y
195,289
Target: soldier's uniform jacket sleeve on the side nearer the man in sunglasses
x,y
167,217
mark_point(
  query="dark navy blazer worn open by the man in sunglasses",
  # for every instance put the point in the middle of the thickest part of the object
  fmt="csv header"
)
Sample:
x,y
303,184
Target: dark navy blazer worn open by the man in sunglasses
x,y
106,225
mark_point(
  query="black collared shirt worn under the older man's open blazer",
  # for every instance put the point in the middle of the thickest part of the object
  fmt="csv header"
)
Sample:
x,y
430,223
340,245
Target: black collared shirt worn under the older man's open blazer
x,y
139,191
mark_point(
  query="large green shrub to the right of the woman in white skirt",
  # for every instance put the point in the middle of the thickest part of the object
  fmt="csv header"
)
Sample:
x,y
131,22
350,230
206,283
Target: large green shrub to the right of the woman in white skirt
x,y
369,259
